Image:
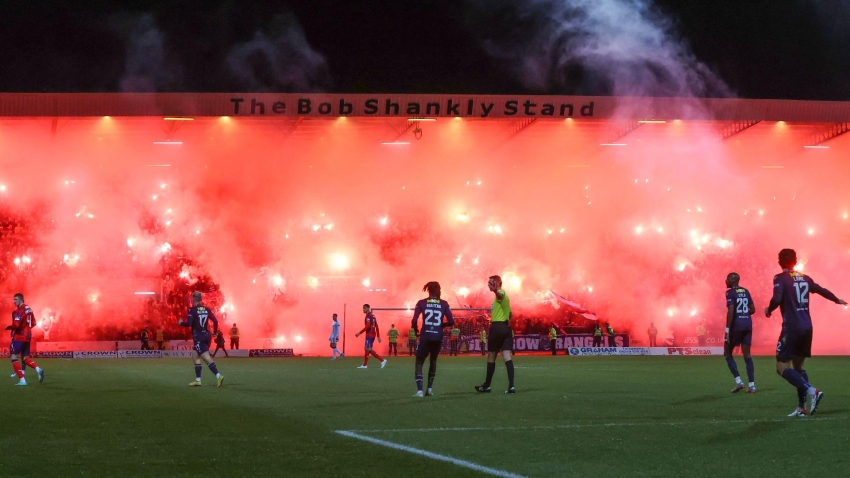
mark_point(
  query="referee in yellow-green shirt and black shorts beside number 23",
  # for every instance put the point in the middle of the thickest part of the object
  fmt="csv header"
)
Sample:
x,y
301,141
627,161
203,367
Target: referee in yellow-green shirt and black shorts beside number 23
x,y
501,336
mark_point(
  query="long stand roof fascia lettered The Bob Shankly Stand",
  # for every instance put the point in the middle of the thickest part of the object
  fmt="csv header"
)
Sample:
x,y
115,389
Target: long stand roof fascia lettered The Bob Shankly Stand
x,y
321,105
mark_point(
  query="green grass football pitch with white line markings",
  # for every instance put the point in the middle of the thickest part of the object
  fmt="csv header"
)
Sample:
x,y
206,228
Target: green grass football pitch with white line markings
x,y
572,416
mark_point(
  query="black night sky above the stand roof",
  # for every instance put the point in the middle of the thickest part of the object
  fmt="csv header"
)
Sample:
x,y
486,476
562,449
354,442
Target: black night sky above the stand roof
x,y
795,49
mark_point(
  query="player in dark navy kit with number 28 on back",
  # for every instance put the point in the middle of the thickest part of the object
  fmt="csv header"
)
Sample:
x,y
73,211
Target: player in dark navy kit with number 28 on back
x,y
739,330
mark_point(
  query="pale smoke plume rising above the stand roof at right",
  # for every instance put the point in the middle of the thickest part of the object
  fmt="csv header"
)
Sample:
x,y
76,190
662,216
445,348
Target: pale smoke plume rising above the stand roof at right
x,y
593,47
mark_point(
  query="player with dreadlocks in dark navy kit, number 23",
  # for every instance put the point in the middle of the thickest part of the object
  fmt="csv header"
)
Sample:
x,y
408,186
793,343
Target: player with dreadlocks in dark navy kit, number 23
x,y
436,314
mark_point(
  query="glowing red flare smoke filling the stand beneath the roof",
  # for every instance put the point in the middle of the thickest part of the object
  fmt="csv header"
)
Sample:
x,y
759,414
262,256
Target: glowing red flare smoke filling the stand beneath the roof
x,y
638,233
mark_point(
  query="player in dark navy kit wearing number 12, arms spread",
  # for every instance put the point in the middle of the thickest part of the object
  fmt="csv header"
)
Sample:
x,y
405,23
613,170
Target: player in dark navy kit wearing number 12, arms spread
x,y
791,294
